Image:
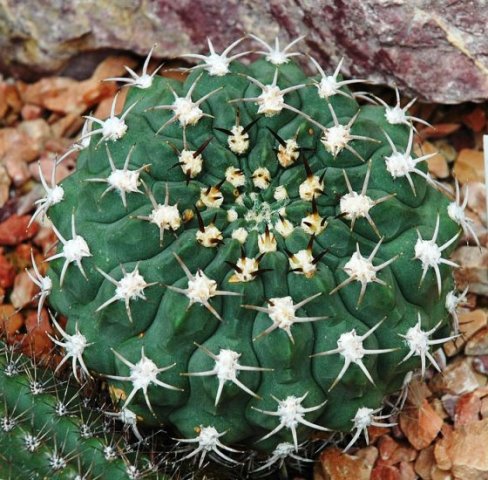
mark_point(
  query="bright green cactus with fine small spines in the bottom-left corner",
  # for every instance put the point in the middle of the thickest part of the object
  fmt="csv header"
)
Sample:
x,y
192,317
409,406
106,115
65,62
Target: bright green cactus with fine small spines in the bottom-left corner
x,y
48,431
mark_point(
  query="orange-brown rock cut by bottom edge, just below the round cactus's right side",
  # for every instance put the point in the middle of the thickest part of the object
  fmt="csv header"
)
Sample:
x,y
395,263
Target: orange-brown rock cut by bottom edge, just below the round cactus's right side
x,y
337,465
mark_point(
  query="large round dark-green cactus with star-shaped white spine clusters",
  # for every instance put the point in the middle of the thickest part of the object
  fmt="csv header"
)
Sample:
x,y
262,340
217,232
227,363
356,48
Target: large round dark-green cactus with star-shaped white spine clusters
x,y
250,256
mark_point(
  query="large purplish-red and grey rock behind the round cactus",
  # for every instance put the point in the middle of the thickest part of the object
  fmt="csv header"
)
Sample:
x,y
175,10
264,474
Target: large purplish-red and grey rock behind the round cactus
x,y
434,49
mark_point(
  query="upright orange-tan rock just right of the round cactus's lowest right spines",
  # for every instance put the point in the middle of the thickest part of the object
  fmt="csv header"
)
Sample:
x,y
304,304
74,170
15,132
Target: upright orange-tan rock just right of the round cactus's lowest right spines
x,y
420,424
